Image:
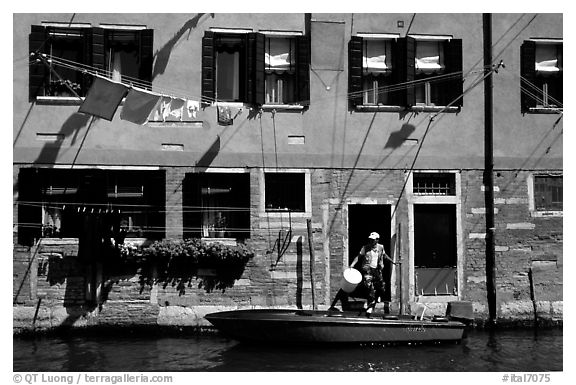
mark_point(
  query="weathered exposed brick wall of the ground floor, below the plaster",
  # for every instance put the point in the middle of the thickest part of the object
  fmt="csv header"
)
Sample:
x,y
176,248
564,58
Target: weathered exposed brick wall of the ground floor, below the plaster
x,y
49,281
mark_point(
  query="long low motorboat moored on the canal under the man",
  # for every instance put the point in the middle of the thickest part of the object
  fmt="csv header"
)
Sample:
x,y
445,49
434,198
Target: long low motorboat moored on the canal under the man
x,y
292,326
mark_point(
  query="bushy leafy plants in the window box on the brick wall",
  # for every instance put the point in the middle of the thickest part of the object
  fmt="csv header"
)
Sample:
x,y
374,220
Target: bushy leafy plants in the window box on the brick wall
x,y
176,262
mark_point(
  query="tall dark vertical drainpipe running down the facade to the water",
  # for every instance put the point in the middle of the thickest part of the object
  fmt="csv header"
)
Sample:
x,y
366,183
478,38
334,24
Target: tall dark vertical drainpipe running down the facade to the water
x,y
489,169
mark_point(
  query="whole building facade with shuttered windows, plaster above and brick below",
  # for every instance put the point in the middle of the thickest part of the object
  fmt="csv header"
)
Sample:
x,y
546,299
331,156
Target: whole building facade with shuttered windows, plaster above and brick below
x,y
274,127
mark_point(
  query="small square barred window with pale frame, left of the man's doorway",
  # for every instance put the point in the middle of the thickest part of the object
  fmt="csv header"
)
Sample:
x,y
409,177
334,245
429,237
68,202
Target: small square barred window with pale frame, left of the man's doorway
x,y
284,192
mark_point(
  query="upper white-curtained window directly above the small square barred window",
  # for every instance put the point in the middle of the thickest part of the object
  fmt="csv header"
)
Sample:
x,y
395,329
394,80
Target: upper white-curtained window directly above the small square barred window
x,y
280,61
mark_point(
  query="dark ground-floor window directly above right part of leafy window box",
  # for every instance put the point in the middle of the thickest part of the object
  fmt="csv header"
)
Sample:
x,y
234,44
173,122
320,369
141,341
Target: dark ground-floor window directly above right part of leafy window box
x,y
217,205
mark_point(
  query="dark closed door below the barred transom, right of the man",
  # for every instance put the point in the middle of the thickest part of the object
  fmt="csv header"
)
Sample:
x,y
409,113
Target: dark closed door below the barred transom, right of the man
x,y
435,251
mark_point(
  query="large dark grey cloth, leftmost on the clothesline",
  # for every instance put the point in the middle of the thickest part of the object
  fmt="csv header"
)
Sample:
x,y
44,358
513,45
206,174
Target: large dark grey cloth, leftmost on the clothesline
x,y
103,98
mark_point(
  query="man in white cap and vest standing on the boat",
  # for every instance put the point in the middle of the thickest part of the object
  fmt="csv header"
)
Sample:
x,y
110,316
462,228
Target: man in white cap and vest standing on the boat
x,y
371,258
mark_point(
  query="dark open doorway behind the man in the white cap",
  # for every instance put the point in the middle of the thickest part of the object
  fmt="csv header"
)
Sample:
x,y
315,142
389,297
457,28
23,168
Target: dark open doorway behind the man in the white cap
x,y
364,219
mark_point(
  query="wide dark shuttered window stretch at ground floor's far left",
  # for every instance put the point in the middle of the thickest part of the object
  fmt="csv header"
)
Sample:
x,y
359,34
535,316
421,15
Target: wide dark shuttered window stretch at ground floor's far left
x,y
55,202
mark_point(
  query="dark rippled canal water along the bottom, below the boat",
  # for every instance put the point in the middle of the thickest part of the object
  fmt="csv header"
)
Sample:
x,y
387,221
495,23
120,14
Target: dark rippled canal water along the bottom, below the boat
x,y
481,351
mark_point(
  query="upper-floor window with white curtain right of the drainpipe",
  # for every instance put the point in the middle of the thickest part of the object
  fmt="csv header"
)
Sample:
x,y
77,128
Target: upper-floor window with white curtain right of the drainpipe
x,y
541,74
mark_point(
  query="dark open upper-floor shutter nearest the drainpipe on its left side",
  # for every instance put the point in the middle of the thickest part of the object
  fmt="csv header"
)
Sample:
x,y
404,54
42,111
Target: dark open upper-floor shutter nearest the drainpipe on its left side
x,y
454,87
